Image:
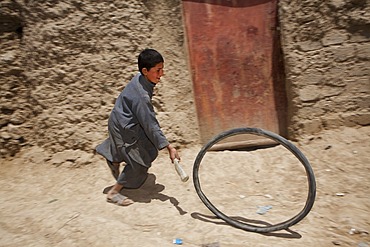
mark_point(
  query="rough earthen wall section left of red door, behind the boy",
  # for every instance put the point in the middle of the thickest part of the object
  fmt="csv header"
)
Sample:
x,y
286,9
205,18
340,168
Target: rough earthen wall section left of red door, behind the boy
x,y
63,63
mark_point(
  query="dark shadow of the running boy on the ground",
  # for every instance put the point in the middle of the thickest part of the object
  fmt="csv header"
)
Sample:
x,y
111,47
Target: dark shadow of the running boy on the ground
x,y
147,192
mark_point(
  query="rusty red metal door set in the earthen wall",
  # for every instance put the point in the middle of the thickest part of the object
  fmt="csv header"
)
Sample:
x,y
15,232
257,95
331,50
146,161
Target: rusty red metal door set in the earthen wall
x,y
236,69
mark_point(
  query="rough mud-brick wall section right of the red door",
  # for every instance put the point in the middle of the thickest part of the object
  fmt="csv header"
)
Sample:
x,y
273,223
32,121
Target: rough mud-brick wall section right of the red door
x,y
326,47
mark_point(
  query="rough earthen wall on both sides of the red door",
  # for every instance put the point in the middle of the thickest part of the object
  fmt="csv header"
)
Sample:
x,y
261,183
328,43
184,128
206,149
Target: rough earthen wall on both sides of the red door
x,y
63,63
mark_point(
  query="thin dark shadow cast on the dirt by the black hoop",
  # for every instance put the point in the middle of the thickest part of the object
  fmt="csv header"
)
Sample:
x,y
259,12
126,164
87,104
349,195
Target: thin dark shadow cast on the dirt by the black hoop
x,y
287,233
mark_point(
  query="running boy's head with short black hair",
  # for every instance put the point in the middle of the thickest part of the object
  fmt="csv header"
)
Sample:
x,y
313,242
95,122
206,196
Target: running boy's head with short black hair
x,y
150,64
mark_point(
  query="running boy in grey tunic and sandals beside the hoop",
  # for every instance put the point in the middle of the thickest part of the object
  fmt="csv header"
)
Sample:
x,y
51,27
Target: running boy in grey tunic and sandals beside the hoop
x,y
134,132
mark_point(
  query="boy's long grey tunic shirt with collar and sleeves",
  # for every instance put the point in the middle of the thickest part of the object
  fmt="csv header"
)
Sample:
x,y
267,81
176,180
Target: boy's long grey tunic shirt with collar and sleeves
x,y
134,132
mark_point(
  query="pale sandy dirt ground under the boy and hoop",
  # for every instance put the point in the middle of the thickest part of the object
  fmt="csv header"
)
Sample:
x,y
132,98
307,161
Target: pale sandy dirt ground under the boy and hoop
x,y
47,205
